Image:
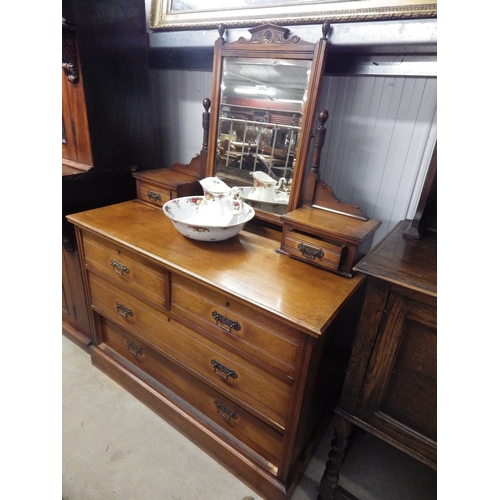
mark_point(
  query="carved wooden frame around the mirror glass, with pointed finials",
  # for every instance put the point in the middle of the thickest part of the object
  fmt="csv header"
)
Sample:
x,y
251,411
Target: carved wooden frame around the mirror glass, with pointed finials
x,y
272,42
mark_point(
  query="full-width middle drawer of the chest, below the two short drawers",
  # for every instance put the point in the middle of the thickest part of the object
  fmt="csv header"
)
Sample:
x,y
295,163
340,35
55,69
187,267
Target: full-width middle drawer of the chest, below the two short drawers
x,y
267,397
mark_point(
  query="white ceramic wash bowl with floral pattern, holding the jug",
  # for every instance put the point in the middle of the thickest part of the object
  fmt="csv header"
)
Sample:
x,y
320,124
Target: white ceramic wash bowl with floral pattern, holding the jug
x,y
183,212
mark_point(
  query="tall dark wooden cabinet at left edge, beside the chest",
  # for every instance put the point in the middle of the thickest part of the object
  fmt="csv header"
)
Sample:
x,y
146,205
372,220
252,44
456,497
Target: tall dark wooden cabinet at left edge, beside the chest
x,y
107,125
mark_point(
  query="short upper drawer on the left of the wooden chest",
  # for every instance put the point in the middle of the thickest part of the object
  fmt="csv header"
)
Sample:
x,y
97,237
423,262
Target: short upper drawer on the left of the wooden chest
x,y
125,268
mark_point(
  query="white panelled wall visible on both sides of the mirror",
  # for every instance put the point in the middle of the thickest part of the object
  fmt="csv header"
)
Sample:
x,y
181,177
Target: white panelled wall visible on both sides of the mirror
x,y
380,135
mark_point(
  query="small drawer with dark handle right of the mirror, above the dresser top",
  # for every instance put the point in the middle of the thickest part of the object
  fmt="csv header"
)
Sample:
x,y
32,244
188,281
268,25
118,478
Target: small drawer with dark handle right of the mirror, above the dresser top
x,y
326,254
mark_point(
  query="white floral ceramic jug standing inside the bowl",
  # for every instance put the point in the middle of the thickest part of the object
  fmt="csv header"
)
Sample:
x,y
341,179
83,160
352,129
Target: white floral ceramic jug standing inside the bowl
x,y
220,203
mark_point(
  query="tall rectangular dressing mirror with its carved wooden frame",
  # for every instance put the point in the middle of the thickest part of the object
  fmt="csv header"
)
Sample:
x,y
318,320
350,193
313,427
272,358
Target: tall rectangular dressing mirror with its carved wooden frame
x,y
264,97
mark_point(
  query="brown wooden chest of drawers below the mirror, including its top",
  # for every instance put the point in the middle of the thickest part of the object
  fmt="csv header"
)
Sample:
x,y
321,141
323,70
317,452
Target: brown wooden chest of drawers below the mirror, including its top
x,y
241,348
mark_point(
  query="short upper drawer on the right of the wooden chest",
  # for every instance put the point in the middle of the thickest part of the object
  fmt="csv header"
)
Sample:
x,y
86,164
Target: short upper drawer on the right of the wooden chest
x,y
253,332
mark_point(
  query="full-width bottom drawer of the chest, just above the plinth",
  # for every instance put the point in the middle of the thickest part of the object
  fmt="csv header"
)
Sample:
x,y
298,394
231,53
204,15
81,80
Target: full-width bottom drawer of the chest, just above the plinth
x,y
221,411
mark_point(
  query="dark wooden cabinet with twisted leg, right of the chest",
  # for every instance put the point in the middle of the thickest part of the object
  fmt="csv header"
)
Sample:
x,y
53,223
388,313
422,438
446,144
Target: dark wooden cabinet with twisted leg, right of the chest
x,y
390,386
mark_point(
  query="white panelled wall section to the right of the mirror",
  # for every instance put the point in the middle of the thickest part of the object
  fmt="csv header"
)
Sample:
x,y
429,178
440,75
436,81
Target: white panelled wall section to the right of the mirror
x,y
380,136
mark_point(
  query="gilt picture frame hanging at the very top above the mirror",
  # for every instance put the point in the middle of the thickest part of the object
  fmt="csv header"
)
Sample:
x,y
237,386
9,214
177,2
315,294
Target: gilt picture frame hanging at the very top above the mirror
x,y
194,14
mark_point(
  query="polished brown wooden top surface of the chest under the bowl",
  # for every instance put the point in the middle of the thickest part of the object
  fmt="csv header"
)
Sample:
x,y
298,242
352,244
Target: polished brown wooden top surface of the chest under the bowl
x,y
247,266
